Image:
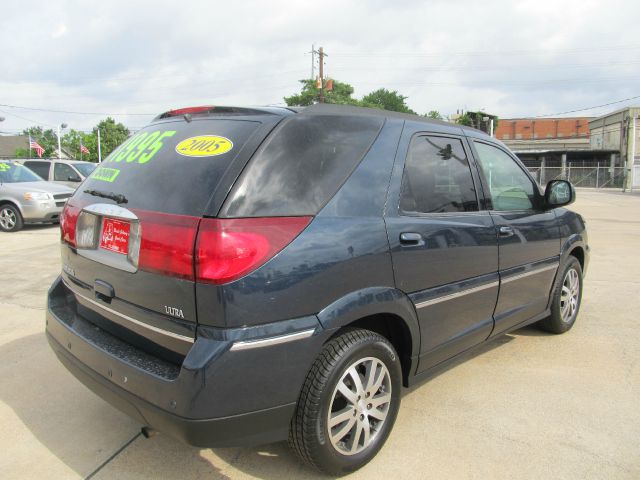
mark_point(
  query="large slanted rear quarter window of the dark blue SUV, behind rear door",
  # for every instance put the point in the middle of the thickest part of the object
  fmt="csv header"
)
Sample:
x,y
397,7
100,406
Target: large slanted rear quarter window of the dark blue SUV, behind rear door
x,y
301,165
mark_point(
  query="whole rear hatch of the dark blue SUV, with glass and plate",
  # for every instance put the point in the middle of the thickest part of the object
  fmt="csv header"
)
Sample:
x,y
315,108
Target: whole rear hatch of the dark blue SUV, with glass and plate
x,y
130,229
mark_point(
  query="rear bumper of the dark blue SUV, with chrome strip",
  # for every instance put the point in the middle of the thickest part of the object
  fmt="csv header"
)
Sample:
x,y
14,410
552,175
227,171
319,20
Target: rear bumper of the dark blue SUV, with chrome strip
x,y
219,395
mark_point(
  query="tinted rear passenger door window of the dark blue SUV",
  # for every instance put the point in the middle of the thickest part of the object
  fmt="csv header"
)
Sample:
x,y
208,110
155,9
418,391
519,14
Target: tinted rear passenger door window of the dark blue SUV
x,y
437,177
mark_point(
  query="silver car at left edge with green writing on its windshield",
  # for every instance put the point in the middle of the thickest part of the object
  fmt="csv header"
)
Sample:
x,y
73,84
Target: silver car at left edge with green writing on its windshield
x,y
26,198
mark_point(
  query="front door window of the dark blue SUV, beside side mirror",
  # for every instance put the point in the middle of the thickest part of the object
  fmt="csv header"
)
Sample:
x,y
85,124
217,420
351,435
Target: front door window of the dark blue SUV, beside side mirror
x,y
510,187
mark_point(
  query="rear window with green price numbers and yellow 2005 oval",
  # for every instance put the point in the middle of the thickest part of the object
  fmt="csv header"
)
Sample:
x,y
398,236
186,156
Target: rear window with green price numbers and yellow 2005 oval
x,y
171,167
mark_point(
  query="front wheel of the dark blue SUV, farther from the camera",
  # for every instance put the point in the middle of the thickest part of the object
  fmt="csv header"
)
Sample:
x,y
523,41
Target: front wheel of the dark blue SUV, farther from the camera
x,y
567,298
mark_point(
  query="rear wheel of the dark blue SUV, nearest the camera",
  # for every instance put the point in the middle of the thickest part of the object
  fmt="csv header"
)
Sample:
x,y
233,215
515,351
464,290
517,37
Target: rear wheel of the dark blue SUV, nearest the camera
x,y
348,404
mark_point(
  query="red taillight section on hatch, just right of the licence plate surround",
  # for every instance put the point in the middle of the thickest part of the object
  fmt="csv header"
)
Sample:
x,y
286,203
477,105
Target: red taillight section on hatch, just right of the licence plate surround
x,y
166,244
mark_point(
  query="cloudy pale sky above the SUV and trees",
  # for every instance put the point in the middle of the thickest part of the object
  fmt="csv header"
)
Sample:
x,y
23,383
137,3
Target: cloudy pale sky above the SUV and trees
x,y
131,60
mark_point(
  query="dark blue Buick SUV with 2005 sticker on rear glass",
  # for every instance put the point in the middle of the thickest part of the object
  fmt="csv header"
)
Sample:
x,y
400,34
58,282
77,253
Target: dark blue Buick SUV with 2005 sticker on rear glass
x,y
236,276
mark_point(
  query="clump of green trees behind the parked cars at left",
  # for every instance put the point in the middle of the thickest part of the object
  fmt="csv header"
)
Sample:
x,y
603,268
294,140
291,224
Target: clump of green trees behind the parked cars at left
x,y
112,134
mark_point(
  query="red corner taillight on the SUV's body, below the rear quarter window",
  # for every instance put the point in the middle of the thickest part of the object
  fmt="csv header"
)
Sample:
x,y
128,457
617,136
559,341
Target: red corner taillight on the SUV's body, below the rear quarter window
x,y
228,249
